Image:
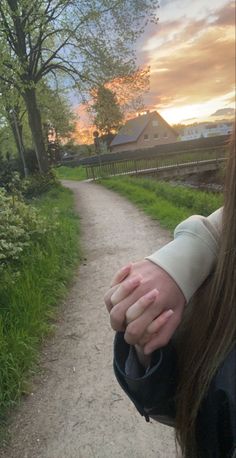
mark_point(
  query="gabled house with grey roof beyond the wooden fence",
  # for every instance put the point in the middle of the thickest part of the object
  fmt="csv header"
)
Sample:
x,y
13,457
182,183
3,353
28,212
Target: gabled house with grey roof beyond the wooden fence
x,y
144,131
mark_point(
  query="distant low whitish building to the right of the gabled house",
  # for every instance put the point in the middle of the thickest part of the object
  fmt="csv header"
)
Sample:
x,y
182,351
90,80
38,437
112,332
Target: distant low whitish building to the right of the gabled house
x,y
205,130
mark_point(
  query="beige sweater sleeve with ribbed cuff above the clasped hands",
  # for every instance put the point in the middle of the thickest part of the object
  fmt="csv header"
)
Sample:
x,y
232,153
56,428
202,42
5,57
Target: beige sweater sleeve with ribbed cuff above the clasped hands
x,y
191,256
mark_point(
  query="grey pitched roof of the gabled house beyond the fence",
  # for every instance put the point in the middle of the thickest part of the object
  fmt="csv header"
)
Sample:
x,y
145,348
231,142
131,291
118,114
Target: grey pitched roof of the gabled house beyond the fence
x,y
133,128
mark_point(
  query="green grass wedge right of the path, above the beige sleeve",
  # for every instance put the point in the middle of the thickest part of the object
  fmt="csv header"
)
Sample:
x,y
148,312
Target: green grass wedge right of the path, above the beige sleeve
x,y
167,203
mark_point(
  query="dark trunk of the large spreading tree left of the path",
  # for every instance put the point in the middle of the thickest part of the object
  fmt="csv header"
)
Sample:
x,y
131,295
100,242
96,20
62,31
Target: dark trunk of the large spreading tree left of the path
x,y
35,124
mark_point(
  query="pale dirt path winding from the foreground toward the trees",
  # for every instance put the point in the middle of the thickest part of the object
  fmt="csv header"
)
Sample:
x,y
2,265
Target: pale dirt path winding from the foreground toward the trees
x,y
77,409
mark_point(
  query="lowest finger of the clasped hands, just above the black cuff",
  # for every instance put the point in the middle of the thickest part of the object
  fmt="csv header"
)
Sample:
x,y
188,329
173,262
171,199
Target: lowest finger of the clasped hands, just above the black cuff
x,y
164,335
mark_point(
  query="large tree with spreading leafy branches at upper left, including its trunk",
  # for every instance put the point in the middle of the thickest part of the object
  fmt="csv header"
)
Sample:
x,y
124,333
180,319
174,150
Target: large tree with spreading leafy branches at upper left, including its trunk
x,y
90,41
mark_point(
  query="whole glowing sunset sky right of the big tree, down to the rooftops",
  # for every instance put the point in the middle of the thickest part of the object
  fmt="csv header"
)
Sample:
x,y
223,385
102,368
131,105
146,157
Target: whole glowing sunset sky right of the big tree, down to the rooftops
x,y
191,52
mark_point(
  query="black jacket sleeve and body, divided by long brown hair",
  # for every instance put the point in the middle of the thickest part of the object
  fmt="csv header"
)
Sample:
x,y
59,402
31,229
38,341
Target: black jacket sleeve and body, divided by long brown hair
x,y
153,395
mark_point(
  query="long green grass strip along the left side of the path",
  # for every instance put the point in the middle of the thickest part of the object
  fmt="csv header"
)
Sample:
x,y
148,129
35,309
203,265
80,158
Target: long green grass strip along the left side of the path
x,y
28,306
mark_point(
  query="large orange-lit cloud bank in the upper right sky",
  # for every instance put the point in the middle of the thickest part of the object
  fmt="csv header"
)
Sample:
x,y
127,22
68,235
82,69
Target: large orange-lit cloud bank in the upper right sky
x,y
192,61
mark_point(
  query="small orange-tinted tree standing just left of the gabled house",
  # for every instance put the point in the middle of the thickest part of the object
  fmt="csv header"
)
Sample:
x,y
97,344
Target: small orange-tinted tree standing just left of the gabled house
x,y
108,115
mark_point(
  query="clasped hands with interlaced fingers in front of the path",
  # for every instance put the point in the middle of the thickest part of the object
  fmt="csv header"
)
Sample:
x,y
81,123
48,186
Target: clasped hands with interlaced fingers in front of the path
x,y
136,312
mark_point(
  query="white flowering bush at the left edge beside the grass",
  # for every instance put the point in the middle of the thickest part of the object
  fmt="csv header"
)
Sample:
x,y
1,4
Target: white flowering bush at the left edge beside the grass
x,y
20,225
